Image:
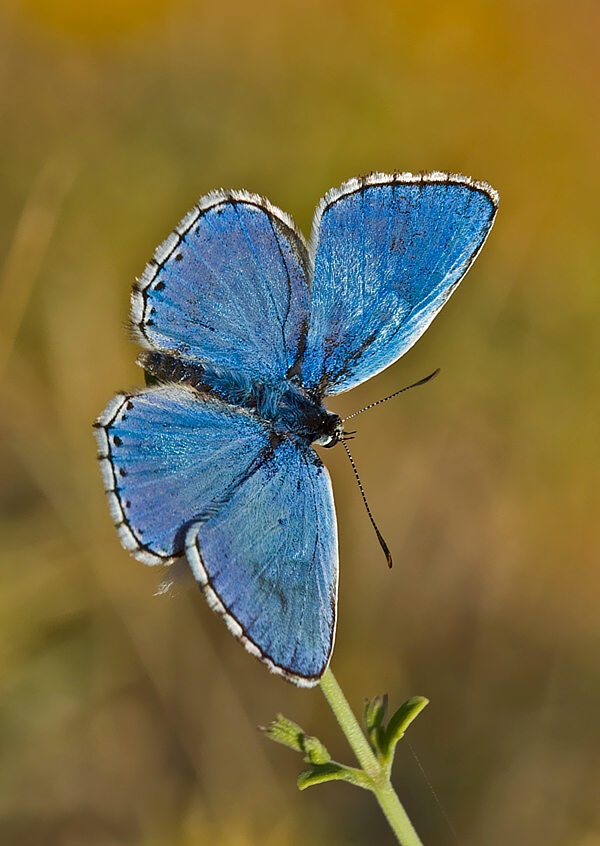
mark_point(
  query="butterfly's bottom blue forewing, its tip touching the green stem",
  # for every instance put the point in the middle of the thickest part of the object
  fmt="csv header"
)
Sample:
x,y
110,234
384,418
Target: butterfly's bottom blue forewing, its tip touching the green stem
x,y
267,562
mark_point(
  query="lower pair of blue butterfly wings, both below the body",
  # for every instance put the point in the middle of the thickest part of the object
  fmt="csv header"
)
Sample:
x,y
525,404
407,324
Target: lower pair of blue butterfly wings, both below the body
x,y
255,512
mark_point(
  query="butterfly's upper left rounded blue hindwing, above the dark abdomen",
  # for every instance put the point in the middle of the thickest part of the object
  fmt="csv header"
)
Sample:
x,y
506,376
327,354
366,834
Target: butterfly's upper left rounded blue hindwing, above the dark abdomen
x,y
228,286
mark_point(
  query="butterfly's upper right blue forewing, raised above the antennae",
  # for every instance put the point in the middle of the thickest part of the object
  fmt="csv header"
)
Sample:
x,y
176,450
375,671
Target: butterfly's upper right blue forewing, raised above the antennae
x,y
388,251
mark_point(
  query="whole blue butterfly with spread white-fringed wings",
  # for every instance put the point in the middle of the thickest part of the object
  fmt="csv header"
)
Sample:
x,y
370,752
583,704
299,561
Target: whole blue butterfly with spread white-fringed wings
x,y
246,329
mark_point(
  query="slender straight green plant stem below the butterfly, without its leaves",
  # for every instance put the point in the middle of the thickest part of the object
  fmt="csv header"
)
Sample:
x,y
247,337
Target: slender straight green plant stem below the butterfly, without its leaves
x,y
380,783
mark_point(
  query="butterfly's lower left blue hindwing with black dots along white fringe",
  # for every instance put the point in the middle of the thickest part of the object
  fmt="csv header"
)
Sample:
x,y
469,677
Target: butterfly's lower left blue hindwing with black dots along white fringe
x,y
168,457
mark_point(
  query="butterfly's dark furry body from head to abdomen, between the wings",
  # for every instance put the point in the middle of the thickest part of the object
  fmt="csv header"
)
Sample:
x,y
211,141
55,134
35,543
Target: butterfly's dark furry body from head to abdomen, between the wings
x,y
290,410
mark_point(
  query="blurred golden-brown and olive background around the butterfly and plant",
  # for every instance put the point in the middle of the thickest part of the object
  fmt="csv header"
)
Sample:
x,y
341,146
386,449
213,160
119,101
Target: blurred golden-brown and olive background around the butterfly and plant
x,y
127,718
